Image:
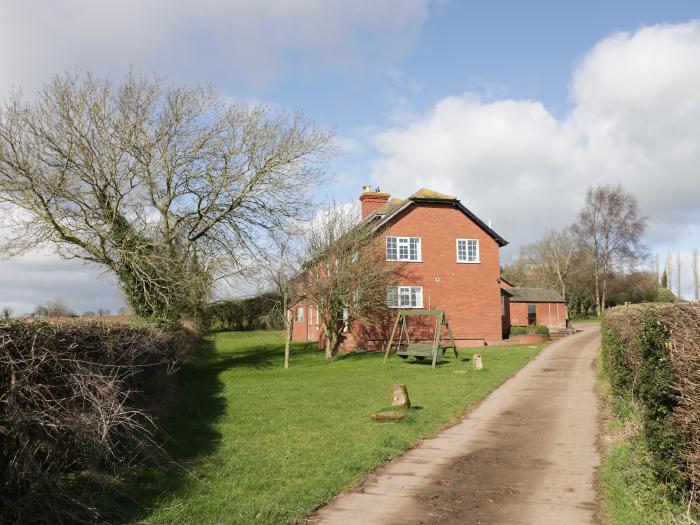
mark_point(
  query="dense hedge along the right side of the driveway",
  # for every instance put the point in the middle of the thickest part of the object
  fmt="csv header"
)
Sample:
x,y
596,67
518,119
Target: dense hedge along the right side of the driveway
x,y
651,354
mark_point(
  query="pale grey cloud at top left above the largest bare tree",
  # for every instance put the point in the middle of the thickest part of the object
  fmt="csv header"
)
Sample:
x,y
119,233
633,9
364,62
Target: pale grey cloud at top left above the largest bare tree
x,y
211,40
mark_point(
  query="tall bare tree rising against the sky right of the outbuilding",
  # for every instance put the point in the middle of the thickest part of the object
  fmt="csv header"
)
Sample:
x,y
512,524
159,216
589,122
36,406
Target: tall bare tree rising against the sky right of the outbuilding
x,y
611,227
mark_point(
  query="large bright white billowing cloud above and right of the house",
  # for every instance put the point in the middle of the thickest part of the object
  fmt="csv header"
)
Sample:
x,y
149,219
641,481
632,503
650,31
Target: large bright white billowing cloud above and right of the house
x,y
635,120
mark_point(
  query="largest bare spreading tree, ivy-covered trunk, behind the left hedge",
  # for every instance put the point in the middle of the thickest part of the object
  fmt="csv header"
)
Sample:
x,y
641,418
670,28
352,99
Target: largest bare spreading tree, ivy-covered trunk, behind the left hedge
x,y
168,188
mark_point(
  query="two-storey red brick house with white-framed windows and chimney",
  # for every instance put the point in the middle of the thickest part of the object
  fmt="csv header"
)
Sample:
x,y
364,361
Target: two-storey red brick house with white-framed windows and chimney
x,y
450,261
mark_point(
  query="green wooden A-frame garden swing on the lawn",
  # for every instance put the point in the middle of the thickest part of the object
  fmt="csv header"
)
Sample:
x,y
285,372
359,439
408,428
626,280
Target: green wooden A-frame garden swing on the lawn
x,y
435,349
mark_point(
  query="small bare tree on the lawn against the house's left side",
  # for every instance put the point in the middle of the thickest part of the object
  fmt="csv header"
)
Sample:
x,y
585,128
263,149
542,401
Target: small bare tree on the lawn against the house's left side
x,y
345,276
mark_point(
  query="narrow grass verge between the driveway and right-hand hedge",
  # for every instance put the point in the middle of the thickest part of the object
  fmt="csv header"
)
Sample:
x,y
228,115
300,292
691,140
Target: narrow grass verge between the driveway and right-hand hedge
x,y
629,493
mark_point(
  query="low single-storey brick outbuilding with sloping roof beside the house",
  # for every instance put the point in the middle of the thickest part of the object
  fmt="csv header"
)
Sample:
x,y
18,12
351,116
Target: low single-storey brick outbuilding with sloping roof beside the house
x,y
529,306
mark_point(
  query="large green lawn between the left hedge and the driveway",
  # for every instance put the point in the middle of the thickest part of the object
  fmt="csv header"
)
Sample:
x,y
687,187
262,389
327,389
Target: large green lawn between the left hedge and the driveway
x,y
257,443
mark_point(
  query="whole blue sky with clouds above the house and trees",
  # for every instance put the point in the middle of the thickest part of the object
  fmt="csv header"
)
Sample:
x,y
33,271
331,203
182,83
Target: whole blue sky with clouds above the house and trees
x,y
514,107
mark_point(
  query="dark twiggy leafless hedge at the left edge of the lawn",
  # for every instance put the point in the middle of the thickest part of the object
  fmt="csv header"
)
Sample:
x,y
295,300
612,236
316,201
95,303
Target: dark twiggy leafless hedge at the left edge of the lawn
x,y
75,396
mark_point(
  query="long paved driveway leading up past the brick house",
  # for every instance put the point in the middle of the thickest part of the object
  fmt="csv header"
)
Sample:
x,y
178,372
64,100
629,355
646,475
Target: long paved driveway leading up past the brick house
x,y
526,455
